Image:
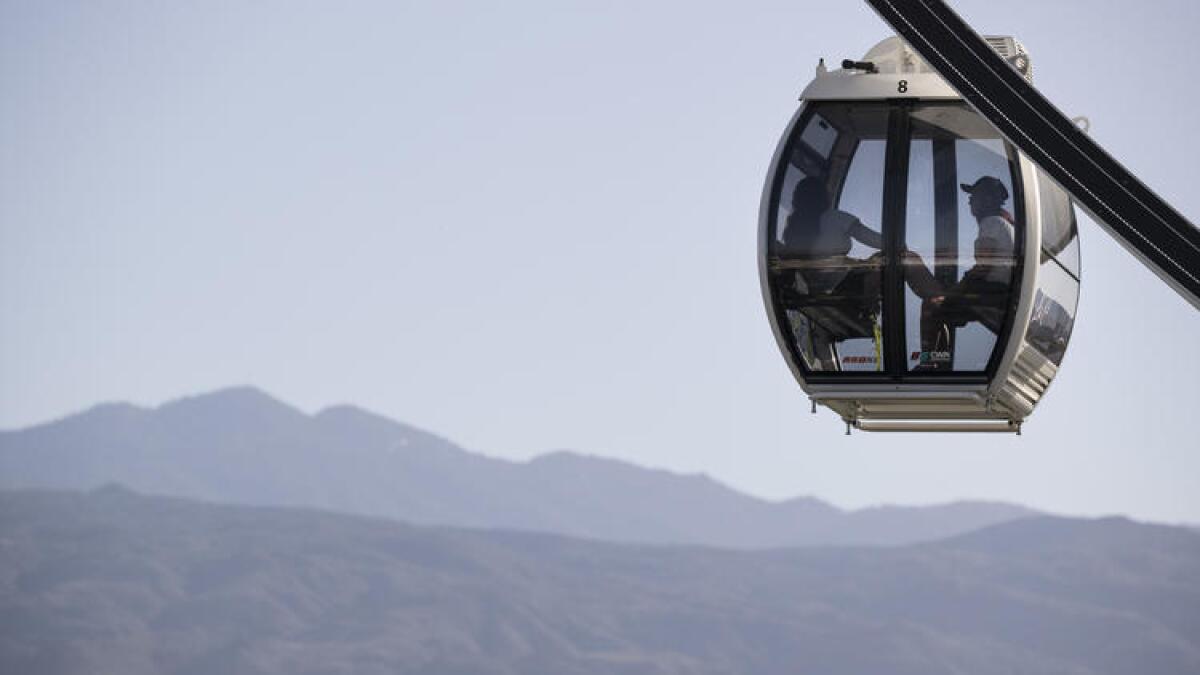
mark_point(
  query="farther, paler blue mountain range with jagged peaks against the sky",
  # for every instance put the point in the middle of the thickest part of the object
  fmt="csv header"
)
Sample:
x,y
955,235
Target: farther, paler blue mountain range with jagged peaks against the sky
x,y
241,446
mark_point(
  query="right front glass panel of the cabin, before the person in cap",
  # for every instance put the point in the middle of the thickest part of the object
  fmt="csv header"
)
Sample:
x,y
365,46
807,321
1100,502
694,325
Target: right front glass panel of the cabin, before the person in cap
x,y
962,240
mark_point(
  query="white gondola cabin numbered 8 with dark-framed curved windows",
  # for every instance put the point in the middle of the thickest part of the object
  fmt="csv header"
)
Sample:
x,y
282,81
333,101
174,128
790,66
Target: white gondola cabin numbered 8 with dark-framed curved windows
x,y
919,272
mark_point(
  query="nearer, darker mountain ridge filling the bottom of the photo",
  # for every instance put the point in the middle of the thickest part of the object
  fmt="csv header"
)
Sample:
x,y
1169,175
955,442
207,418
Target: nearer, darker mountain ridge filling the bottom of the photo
x,y
111,582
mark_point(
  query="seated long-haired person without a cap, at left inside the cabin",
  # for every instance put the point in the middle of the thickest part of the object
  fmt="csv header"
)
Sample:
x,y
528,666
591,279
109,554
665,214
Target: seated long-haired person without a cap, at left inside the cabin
x,y
839,295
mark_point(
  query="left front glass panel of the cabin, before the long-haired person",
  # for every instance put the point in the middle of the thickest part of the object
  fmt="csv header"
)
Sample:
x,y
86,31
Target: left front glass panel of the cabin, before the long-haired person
x,y
826,266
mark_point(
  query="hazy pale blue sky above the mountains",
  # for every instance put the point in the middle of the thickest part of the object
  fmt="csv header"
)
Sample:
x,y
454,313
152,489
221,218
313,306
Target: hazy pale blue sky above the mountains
x,y
532,226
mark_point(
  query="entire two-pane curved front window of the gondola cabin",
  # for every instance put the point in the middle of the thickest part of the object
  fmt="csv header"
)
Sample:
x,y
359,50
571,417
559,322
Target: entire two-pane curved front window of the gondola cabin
x,y
895,240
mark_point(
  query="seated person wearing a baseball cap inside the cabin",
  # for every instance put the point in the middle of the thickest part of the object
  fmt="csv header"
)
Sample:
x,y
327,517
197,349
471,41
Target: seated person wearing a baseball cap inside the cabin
x,y
983,294
